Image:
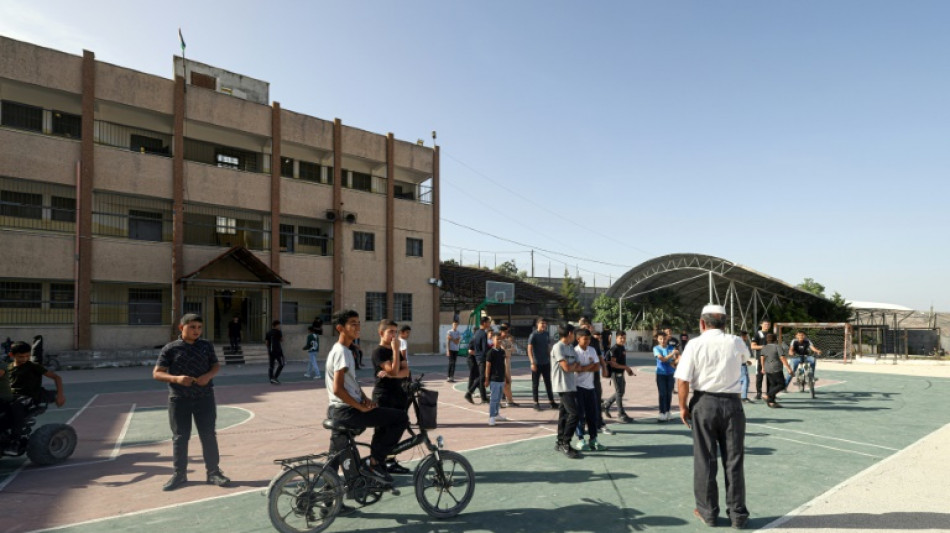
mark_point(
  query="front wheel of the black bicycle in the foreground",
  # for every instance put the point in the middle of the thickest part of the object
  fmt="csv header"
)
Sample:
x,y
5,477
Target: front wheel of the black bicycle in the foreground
x,y
444,488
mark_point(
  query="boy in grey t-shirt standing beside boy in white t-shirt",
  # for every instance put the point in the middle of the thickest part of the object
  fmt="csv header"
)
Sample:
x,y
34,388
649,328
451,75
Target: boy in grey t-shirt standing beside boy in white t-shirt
x,y
563,366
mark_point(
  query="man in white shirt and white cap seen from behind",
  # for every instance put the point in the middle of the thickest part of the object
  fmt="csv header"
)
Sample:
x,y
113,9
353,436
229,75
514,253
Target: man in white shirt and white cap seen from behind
x,y
710,365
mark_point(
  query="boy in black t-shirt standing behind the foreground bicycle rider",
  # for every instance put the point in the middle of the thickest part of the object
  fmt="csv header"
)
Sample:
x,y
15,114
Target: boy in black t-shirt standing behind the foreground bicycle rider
x,y
391,369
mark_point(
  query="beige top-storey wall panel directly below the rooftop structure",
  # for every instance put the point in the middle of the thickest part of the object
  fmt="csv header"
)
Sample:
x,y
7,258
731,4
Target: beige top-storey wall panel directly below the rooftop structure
x,y
211,107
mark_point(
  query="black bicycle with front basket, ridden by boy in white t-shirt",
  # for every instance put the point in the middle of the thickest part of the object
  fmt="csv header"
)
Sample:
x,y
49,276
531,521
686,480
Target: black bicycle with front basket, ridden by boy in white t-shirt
x,y
307,495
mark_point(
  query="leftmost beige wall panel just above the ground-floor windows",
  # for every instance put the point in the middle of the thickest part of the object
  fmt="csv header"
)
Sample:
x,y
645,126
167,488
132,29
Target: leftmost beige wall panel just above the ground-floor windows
x,y
36,255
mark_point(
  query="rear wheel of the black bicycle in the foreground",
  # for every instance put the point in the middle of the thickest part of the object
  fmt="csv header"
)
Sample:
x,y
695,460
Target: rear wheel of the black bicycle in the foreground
x,y
304,499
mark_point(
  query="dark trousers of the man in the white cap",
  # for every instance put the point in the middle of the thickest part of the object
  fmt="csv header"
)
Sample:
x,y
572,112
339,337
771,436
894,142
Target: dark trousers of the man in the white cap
x,y
718,428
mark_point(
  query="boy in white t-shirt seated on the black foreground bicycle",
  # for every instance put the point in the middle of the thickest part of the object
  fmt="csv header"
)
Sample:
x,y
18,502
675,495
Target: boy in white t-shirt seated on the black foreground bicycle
x,y
350,407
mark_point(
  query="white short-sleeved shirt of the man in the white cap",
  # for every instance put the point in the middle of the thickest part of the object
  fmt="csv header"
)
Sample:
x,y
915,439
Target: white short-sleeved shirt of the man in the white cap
x,y
710,362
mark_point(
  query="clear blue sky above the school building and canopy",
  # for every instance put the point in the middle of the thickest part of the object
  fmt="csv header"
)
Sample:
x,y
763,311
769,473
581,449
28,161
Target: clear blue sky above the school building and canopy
x,y
801,139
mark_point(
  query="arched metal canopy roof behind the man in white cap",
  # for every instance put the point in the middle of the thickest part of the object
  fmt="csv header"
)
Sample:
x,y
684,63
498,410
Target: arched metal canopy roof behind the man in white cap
x,y
701,279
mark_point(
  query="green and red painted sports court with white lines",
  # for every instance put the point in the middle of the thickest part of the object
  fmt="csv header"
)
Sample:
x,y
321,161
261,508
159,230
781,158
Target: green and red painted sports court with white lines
x,y
641,483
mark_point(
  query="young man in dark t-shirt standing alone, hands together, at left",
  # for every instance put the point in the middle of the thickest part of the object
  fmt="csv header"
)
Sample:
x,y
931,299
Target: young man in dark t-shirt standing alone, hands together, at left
x,y
188,365
